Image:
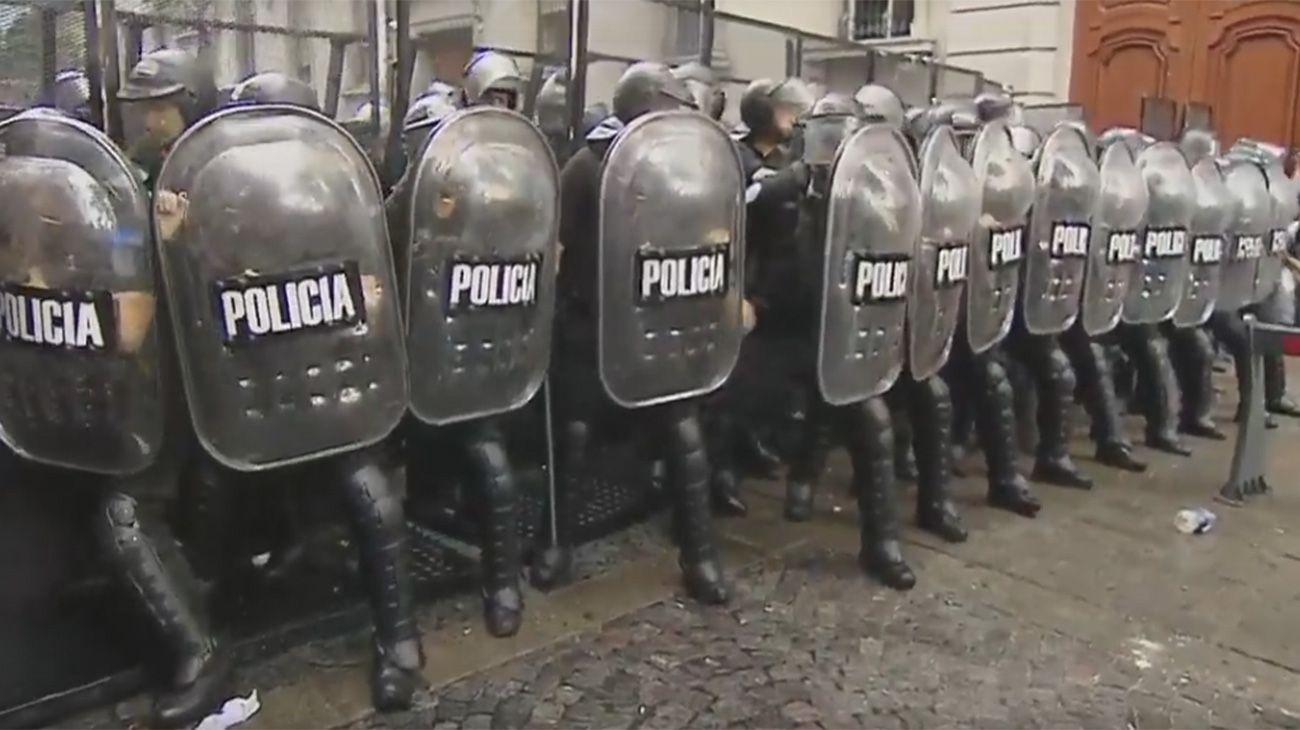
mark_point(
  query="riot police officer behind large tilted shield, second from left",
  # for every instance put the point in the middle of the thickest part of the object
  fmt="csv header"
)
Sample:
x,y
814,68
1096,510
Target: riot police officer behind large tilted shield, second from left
x,y
317,406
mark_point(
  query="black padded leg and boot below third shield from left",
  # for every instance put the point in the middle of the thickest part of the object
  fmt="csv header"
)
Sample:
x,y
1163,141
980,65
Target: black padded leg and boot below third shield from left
x,y
499,524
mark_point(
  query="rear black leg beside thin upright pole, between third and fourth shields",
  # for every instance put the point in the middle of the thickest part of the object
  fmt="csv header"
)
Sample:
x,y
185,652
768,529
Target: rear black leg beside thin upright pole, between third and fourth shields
x,y
553,564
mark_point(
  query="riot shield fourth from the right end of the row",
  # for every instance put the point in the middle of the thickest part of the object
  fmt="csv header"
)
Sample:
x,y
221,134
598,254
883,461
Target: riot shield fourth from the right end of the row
x,y
1163,262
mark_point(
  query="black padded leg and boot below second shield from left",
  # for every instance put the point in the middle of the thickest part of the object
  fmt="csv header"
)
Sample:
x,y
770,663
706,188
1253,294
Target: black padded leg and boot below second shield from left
x,y
375,506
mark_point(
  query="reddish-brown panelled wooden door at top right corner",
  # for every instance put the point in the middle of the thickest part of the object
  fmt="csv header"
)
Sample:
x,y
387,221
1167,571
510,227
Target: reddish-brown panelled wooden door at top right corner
x,y
1240,57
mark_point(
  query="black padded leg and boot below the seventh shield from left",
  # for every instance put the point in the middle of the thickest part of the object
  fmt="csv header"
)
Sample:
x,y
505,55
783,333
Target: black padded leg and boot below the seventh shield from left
x,y
995,423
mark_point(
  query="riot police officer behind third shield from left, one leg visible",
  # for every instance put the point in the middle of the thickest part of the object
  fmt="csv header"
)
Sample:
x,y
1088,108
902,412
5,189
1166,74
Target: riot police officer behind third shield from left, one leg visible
x,y
448,237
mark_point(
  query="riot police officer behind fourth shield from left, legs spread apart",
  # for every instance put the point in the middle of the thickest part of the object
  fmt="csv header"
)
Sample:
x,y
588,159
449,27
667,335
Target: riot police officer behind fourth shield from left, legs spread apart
x,y
618,338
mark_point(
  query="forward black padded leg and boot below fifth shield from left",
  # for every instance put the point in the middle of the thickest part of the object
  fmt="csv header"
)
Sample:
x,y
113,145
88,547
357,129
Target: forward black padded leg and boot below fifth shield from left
x,y
869,437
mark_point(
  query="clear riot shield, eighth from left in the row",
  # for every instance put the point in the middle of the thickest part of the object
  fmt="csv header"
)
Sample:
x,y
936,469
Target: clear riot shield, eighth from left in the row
x,y
1060,231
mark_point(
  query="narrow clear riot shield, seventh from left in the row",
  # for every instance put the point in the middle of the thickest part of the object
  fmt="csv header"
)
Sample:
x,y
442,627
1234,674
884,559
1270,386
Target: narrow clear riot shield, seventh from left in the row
x,y
998,246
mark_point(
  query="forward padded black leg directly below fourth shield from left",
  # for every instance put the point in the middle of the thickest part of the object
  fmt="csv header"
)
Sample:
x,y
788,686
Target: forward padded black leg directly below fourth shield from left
x,y
688,477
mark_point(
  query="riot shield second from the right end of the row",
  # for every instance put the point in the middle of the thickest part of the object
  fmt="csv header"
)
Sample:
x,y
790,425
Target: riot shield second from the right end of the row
x,y
1249,233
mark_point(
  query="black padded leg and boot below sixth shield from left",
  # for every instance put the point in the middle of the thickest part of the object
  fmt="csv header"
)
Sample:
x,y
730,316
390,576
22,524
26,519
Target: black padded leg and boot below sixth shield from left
x,y
934,412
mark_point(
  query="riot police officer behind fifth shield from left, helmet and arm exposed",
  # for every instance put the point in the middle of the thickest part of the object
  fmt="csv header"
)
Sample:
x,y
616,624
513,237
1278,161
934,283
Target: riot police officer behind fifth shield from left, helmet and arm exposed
x,y
843,392
